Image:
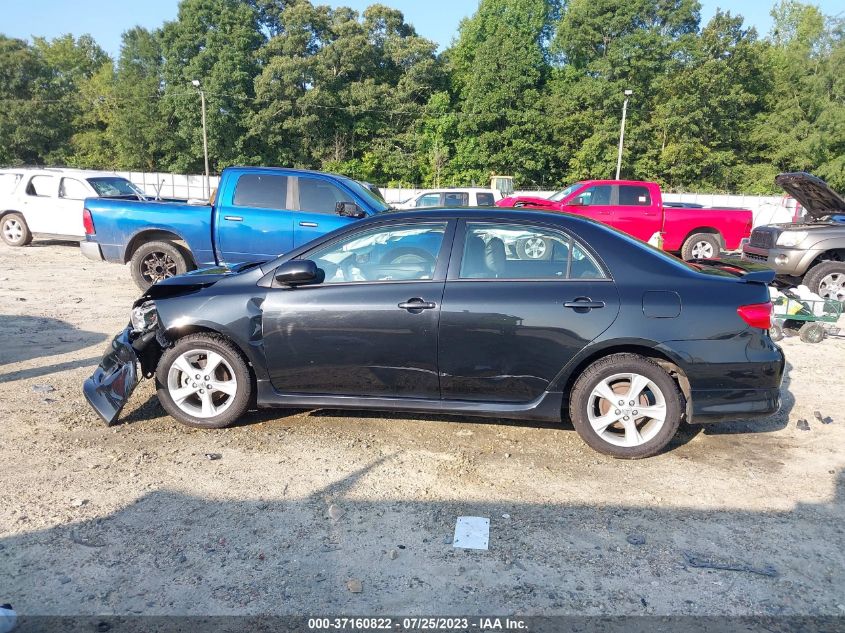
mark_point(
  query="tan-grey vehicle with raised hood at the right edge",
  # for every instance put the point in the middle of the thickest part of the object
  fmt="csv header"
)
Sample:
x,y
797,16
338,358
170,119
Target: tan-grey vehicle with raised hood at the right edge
x,y
811,251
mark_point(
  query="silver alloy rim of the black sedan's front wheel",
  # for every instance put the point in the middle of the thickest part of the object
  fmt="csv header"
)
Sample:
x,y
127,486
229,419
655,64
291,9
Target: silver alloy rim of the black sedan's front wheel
x,y
202,383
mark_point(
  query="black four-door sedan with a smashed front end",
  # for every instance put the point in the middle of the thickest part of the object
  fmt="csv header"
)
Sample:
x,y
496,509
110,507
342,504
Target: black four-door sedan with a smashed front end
x,y
441,311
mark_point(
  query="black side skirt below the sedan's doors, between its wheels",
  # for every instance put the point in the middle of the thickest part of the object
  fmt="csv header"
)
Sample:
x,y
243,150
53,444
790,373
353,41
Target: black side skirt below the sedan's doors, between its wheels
x,y
546,408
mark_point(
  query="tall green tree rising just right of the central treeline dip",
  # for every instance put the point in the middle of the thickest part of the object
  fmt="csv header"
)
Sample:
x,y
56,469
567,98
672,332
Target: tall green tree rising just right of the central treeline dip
x,y
499,69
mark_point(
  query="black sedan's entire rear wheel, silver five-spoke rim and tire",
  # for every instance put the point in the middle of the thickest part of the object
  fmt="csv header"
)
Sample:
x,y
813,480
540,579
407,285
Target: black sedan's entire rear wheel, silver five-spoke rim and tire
x,y
626,406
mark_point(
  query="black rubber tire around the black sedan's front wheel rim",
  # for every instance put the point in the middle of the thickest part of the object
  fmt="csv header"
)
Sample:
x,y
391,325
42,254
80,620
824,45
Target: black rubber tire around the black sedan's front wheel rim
x,y
239,372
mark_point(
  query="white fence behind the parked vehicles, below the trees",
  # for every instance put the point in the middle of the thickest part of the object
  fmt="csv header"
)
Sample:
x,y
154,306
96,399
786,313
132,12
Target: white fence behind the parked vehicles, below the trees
x,y
766,209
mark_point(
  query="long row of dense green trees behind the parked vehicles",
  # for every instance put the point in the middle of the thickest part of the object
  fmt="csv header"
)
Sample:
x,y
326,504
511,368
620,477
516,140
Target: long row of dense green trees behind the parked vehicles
x,y
532,88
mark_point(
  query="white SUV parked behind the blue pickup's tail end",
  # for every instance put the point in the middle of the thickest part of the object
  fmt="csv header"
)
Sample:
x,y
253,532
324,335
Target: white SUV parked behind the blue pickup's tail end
x,y
48,202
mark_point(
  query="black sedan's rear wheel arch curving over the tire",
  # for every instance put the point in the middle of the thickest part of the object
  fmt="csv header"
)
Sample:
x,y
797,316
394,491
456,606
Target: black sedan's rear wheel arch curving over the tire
x,y
565,381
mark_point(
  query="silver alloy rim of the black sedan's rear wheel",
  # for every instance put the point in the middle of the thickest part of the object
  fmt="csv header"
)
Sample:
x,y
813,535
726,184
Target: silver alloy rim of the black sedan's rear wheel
x,y
626,409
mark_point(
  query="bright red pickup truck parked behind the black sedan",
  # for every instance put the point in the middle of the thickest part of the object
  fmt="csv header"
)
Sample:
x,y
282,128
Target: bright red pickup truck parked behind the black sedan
x,y
637,208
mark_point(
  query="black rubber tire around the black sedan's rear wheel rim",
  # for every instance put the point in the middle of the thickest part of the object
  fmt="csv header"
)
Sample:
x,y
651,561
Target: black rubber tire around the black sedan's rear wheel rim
x,y
607,367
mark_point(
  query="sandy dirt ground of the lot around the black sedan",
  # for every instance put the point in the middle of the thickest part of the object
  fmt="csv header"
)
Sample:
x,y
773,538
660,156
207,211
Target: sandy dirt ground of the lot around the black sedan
x,y
136,519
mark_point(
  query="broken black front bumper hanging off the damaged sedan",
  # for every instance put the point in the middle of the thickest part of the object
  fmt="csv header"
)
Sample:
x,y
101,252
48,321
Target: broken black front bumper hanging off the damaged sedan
x,y
114,380
